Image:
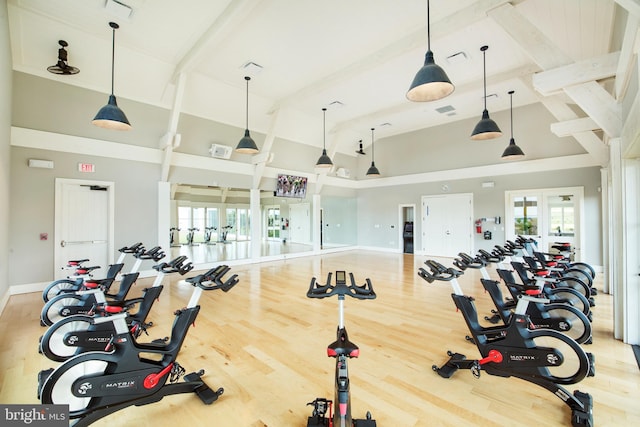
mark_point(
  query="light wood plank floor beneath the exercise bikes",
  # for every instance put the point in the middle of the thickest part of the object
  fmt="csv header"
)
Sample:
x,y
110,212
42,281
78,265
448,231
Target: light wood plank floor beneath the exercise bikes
x,y
265,343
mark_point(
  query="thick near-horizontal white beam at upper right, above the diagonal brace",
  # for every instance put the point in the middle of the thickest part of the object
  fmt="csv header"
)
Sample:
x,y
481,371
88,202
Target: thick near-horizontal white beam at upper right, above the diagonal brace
x,y
554,80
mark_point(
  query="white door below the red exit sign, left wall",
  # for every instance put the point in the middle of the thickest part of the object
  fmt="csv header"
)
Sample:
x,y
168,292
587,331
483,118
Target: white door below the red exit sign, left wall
x,y
83,224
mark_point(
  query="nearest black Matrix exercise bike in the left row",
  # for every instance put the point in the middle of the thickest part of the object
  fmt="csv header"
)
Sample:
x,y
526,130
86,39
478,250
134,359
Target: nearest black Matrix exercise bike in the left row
x,y
99,383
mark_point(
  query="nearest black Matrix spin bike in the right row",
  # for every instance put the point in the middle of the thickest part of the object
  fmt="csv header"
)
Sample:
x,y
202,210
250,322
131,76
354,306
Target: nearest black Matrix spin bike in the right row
x,y
543,357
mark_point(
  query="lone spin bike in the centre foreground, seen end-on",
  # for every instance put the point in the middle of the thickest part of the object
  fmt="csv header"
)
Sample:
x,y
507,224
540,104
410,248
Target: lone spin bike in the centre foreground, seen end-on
x,y
341,349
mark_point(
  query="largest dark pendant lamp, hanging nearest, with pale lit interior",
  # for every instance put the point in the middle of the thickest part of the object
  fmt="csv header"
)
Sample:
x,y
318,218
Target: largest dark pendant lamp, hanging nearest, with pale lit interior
x,y
431,82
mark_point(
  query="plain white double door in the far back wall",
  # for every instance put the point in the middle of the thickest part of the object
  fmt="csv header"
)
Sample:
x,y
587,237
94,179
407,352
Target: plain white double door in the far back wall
x,y
447,224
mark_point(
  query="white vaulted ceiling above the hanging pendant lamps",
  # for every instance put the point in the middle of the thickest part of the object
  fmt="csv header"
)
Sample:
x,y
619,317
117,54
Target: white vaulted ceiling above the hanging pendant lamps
x,y
362,53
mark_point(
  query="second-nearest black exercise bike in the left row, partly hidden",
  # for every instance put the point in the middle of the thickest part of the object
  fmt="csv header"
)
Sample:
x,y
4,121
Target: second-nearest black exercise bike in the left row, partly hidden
x,y
81,333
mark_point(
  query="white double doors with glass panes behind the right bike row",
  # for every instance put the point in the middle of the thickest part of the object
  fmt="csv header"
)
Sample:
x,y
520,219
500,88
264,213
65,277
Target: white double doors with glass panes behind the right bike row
x,y
546,215
